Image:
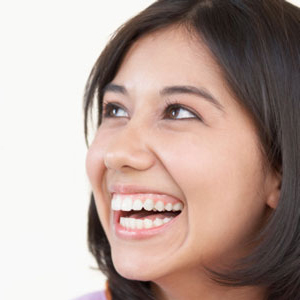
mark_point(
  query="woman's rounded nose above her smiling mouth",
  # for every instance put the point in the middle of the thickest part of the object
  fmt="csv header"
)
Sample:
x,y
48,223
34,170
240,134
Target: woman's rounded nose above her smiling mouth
x,y
128,149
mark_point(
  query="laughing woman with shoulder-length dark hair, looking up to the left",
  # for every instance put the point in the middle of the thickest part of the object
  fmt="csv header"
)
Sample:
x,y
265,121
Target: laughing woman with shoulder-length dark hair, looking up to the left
x,y
195,167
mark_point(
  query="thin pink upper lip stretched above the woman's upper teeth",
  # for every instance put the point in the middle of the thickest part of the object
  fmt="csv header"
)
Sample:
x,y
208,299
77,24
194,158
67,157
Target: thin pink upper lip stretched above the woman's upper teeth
x,y
135,189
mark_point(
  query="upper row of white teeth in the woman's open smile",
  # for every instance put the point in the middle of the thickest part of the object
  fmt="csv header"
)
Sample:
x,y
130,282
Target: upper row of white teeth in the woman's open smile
x,y
127,203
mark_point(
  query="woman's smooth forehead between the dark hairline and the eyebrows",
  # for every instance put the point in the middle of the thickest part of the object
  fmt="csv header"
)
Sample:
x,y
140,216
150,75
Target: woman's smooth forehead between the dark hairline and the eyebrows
x,y
170,57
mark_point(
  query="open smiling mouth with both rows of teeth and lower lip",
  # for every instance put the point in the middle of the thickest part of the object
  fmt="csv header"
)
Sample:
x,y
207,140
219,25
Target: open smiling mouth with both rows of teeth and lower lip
x,y
139,215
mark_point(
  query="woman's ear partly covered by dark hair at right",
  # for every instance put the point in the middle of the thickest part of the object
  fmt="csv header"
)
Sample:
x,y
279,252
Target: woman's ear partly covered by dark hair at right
x,y
273,188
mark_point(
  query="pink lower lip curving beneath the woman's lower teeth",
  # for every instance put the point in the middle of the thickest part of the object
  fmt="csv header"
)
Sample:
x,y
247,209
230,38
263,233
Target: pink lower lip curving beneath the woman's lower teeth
x,y
122,232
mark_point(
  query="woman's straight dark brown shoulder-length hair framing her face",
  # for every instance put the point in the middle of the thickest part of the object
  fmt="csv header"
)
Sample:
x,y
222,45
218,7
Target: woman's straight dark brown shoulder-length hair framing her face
x,y
256,44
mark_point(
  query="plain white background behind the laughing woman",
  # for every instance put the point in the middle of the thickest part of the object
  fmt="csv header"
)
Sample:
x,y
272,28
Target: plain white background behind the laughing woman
x,y
47,49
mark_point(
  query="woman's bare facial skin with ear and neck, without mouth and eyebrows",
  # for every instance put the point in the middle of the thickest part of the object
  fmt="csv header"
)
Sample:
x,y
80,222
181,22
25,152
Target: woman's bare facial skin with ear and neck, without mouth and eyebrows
x,y
225,191
